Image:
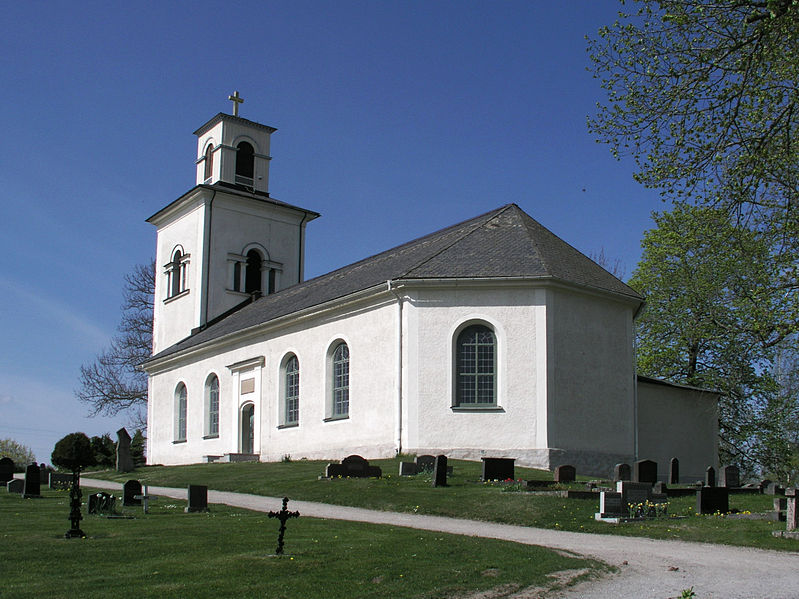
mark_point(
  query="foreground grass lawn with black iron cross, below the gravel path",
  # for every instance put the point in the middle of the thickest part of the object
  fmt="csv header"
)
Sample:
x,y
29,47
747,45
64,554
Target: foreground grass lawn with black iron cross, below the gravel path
x,y
227,552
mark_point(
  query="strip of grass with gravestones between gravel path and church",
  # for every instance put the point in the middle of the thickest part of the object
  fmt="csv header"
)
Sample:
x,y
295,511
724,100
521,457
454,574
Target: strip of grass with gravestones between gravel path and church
x,y
467,497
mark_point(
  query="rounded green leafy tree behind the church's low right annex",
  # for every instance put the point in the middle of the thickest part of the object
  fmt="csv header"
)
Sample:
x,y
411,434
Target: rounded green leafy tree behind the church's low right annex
x,y
716,318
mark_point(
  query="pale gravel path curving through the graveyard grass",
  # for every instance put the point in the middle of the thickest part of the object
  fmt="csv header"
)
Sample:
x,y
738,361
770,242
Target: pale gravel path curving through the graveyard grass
x,y
648,568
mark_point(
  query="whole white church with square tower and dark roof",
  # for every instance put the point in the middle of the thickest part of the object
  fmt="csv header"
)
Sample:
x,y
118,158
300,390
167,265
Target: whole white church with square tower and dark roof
x,y
490,338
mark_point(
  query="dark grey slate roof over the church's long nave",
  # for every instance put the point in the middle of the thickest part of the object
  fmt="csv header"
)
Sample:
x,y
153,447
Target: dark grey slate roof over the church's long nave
x,y
503,243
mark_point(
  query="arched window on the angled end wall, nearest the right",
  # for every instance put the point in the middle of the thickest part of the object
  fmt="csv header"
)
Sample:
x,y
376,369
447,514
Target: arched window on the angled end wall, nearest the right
x,y
476,367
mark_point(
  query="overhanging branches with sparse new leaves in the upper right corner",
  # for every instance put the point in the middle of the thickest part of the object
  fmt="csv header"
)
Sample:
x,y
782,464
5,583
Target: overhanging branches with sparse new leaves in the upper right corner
x,y
705,96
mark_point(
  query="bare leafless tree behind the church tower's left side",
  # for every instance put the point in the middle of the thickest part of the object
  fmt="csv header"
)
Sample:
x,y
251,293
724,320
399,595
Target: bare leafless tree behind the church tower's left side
x,y
112,383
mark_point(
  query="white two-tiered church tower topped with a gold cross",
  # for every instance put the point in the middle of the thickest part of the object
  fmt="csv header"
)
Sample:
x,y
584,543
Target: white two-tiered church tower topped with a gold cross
x,y
224,242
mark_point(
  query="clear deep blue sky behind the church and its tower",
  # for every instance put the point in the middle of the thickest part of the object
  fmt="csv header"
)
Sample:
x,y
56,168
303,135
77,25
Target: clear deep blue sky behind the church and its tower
x,y
394,119
